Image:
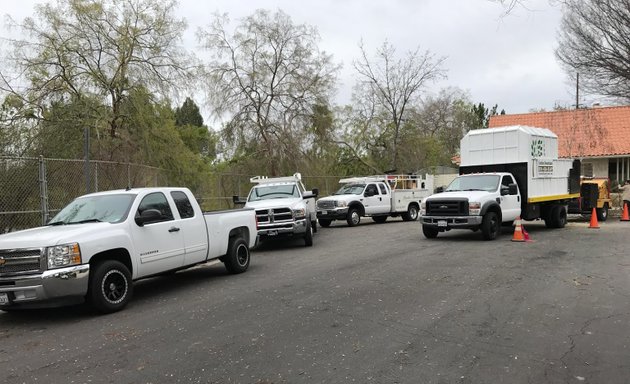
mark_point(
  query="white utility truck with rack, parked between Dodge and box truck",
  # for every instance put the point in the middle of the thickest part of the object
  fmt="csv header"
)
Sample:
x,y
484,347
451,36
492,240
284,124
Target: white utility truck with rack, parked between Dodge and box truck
x,y
378,197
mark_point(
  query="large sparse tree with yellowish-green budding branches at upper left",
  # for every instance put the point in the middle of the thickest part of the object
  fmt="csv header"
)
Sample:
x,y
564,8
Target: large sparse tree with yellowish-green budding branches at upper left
x,y
98,49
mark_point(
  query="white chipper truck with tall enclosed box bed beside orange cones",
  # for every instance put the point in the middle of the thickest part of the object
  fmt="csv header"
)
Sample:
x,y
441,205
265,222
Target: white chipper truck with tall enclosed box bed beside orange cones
x,y
505,173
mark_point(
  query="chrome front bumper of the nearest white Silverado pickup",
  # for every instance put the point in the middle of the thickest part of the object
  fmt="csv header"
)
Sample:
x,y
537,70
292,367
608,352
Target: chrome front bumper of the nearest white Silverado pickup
x,y
68,284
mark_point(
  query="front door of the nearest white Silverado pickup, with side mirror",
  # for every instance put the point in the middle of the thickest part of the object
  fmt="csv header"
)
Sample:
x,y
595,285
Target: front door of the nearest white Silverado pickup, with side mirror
x,y
159,245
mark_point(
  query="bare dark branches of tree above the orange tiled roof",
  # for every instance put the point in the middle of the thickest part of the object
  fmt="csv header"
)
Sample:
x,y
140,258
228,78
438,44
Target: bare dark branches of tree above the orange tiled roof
x,y
594,41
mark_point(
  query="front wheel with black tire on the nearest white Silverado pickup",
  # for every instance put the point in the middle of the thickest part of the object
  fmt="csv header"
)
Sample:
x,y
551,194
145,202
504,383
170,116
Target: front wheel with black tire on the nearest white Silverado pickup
x,y
110,286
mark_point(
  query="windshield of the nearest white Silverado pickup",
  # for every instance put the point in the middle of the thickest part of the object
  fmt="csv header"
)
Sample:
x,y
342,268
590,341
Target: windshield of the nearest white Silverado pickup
x,y
106,208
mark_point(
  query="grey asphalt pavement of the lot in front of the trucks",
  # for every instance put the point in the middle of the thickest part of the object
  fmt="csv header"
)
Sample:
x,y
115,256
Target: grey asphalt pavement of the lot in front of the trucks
x,y
377,303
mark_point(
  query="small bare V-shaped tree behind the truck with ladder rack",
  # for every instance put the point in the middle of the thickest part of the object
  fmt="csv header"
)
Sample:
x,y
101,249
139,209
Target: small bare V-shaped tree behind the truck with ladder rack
x,y
395,83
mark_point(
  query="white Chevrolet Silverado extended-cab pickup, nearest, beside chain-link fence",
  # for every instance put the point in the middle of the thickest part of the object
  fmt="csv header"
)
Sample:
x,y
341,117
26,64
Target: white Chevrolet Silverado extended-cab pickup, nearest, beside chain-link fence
x,y
95,247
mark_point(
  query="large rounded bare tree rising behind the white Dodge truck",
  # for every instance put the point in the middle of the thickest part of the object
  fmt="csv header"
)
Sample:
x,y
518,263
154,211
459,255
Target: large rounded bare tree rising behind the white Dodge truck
x,y
267,76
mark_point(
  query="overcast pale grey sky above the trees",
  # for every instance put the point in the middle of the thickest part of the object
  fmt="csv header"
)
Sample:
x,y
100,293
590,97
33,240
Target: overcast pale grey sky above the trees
x,y
498,59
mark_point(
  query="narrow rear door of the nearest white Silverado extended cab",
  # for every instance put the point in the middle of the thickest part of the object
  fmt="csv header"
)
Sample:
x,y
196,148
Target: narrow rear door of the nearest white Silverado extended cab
x,y
193,228
